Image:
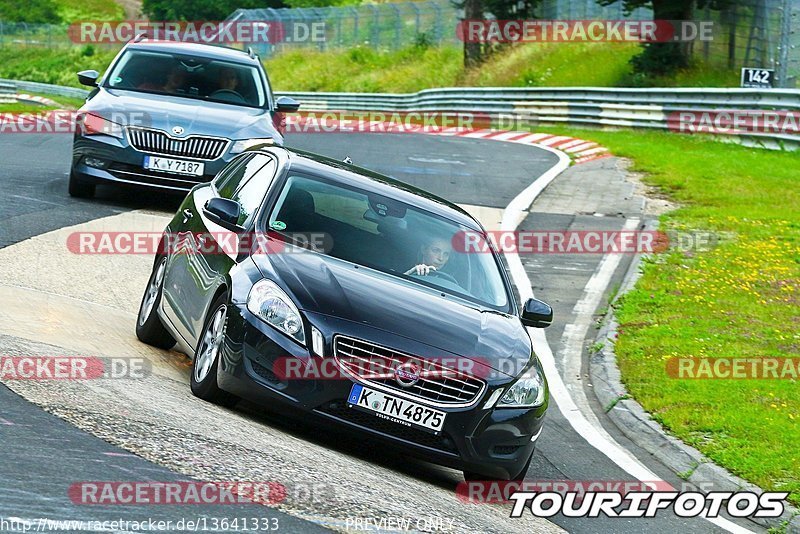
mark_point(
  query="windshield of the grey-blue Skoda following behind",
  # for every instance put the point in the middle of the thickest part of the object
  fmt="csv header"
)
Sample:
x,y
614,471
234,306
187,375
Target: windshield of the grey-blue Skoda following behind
x,y
189,77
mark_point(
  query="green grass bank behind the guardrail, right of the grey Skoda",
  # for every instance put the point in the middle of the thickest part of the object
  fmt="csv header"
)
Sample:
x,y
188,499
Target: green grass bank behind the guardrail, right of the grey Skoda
x,y
529,65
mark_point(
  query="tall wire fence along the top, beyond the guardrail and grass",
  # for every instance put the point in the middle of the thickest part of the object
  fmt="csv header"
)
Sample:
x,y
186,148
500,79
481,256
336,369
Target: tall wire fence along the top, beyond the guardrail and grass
x,y
748,33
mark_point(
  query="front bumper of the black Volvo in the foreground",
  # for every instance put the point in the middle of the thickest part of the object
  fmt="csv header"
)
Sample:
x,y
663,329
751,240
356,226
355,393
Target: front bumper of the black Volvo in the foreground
x,y
496,443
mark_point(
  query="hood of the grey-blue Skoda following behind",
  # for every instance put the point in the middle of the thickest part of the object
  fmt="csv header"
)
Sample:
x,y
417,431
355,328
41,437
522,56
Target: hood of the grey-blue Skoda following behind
x,y
164,112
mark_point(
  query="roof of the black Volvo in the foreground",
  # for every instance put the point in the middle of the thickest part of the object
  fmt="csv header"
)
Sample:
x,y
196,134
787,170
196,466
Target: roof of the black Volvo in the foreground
x,y
349,174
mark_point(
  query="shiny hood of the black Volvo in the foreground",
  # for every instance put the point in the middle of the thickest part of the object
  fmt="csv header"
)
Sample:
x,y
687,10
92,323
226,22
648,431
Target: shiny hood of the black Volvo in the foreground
x,y
329,286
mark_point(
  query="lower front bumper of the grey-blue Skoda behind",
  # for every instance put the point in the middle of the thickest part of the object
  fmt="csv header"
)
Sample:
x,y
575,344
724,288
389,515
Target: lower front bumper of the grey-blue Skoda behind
x,y
124,165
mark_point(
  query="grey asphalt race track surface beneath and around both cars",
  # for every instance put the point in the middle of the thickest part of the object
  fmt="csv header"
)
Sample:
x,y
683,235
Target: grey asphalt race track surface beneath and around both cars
x,y
330,476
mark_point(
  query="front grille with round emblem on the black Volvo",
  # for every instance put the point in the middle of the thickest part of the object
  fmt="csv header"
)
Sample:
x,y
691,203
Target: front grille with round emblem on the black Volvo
x,y
374,364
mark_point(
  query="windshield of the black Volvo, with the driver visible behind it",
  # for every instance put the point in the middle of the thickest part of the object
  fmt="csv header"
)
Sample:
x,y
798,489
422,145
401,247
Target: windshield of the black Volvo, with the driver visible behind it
x,y
384,234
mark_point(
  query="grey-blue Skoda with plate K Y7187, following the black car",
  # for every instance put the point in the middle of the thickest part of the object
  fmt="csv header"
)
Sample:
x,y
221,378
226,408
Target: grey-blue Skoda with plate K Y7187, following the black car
x,y
170,115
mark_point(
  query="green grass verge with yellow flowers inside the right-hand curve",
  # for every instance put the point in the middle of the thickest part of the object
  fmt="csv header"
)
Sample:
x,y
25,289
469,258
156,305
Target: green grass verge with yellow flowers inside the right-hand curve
x,y
741,299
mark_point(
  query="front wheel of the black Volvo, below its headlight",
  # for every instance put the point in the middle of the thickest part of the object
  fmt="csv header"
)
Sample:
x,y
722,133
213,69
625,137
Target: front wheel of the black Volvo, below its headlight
x,y
205,364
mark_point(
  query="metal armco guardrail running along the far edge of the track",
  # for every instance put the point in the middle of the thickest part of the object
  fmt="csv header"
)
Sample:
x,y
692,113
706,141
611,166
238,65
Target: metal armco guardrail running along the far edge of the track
x,y
579,106
